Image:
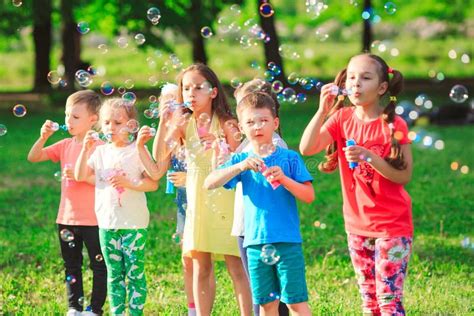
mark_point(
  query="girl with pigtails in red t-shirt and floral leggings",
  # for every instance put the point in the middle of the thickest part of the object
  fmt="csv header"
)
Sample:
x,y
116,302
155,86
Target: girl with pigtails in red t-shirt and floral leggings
x,y
377,209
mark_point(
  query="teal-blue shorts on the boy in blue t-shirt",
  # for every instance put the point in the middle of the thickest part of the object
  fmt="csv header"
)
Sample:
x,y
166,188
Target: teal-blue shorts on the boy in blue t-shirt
x,y
284,280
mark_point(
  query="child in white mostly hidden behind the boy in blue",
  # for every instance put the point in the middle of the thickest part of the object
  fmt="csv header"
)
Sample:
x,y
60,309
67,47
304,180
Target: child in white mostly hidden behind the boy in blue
x,y
256,85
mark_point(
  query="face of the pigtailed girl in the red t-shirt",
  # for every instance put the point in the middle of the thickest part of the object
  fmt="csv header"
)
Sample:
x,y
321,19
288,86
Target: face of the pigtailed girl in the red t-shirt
x,y
363,78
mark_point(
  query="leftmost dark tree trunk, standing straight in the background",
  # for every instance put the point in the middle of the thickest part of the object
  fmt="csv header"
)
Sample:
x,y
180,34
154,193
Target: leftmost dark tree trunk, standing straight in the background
x,y
42,42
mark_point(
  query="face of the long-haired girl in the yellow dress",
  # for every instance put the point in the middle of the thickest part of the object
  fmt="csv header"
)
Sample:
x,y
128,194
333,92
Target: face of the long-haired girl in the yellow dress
x,y
197,91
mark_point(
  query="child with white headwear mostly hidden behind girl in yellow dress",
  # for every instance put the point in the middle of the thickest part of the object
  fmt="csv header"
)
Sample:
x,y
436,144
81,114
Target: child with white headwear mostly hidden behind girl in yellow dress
x,y
169,95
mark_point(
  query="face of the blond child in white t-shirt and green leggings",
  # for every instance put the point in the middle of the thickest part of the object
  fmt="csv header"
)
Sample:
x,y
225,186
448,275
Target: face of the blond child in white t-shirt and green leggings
x,y
114,124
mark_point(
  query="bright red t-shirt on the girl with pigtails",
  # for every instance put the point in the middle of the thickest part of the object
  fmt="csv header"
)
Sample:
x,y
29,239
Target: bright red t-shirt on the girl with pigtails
x,y
373,205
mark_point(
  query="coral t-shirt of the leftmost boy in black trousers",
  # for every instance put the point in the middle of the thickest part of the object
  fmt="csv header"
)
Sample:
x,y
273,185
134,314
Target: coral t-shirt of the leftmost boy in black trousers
x,y
77,198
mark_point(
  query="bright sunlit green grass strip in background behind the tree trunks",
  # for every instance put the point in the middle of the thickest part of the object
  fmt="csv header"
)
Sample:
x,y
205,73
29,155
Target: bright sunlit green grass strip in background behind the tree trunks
x,y
417,58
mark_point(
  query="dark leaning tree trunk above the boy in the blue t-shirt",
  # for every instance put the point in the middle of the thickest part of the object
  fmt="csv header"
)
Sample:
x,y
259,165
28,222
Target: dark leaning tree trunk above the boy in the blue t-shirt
x,y
271,47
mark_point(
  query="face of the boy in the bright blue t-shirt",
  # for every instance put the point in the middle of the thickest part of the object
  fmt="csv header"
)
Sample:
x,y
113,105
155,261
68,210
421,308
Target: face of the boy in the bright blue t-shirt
x,y
258,125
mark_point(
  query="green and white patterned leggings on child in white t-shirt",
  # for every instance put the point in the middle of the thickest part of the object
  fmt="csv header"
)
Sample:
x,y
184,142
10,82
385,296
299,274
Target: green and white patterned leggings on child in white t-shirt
x,y
124,255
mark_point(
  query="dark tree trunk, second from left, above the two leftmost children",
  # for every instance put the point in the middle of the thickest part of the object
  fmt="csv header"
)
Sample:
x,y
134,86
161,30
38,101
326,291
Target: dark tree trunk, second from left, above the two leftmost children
x,y
71,40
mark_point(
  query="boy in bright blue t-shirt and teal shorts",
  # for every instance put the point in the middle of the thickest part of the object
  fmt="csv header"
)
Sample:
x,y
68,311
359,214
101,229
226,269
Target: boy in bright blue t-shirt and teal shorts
x,y
272,235
